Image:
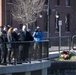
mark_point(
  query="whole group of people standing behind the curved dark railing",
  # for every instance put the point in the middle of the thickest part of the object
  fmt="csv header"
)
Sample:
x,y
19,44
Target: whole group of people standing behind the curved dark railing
x,y
9,48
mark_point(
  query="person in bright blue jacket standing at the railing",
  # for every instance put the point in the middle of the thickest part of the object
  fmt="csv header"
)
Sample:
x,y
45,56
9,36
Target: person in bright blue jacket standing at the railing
x,y
38,35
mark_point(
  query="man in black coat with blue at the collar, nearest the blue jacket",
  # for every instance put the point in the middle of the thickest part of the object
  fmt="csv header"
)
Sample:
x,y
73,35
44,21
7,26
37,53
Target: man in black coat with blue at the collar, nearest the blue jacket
x,y
24,48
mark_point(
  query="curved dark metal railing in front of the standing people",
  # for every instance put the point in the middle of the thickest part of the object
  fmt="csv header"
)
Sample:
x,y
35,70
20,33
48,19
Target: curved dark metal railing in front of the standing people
x,y
20,49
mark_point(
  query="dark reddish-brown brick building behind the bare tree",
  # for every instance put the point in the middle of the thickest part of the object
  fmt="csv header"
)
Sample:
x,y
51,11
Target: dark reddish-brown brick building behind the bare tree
x,y
54,10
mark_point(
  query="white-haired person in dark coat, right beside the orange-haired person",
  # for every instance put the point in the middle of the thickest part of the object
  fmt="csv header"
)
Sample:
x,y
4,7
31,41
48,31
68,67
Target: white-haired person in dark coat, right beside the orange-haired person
x,y
15,38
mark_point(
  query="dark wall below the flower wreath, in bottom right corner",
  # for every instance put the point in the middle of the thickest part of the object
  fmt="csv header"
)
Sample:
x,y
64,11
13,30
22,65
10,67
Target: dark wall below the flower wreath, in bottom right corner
x,y
62,68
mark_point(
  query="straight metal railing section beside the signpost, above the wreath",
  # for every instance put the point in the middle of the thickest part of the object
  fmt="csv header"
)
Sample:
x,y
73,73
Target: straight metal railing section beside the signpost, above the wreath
x,y
54,43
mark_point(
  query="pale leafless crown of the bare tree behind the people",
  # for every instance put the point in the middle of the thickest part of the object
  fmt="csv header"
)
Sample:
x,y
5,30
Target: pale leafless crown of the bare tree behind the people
x,y
26,11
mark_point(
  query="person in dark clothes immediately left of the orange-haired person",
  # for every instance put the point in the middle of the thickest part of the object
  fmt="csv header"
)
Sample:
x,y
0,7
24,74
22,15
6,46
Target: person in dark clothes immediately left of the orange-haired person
x,y
4,51
